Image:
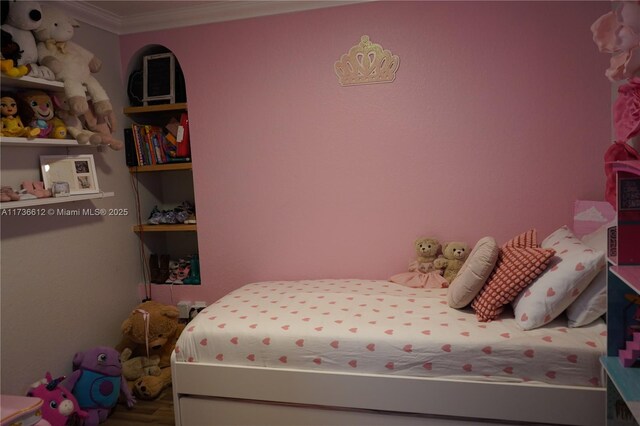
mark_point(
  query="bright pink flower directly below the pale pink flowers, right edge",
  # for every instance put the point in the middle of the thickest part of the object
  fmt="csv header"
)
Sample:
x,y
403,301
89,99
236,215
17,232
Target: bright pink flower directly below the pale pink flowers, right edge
x,y
626,110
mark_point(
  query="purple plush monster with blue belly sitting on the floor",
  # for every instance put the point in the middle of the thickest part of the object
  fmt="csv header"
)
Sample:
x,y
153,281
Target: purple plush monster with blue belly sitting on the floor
x,y
97,382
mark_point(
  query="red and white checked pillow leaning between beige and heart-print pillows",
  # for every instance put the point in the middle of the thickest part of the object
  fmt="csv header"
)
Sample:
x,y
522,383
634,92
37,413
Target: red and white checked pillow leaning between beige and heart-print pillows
x,y
520,261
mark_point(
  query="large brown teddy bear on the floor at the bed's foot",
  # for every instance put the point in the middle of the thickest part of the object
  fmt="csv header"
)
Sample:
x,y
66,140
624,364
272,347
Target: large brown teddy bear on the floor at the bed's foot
x,y
152,331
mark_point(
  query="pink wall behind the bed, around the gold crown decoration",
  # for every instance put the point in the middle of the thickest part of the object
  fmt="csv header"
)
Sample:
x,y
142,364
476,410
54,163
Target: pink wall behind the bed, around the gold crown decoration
x,y
497,121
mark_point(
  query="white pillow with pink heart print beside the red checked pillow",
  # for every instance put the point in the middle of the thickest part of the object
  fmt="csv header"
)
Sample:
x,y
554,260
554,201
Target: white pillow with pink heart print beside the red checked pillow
x,y
570,272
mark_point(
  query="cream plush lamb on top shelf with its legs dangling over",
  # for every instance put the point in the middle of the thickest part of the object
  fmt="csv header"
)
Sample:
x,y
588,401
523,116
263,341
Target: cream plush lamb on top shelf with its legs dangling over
x,y
71,63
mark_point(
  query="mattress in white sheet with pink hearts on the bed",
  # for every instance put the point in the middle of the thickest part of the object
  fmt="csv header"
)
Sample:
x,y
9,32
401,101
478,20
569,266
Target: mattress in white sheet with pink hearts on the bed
x,y
378,327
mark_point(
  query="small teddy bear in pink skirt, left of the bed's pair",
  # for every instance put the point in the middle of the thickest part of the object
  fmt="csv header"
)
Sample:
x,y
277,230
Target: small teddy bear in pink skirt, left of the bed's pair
x,y
422,272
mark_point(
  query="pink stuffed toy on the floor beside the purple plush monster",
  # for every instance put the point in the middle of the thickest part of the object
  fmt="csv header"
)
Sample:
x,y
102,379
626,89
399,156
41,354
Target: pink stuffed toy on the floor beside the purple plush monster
x,y
59,405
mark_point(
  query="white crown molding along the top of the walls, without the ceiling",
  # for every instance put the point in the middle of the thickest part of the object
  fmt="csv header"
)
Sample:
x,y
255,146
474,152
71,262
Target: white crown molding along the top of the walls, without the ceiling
x,y
215,11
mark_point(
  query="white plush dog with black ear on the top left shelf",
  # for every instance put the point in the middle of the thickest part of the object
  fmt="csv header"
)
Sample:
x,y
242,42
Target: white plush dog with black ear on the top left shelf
x,y
22,18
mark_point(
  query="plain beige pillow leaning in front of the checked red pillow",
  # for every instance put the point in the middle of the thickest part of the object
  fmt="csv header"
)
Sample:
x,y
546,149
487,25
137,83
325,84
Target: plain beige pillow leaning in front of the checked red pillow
x,y
474,273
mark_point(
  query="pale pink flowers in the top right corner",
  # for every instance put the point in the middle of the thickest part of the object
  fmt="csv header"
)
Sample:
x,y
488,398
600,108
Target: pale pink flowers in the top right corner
x,y
618,33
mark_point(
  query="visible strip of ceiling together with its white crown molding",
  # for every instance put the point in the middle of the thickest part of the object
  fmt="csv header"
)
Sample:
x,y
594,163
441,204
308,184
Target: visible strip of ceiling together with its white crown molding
x,y
124,17
